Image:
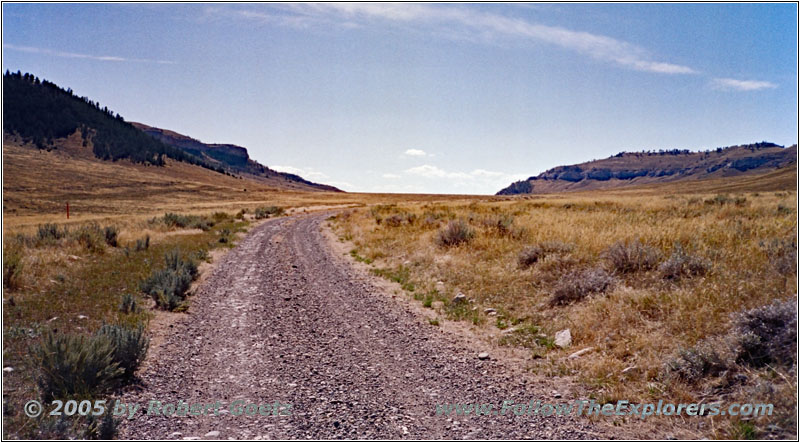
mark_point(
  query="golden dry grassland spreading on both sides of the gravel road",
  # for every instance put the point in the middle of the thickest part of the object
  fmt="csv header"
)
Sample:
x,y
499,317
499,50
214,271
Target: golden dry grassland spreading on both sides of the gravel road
x,y
653,280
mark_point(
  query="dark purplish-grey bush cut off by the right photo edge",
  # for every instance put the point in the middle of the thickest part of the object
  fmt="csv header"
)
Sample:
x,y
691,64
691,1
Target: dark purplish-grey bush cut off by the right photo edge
x,y
767,335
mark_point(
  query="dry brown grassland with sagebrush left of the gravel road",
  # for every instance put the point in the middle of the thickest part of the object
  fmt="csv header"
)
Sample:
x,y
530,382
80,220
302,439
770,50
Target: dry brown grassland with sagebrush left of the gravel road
x,y
80,293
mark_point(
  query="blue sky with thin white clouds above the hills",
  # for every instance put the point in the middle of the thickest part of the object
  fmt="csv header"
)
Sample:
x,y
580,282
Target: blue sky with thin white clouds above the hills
x,y
426,98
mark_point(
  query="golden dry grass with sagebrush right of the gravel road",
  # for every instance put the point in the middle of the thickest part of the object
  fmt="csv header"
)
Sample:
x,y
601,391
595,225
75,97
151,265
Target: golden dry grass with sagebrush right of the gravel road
x,y
651,283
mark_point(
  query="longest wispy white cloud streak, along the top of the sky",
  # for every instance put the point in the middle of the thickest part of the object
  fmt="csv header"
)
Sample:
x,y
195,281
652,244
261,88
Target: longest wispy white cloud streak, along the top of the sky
x,y
462,23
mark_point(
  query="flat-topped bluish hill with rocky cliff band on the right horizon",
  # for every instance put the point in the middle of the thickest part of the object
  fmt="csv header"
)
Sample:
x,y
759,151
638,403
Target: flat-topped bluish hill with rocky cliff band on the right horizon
x,y
645,168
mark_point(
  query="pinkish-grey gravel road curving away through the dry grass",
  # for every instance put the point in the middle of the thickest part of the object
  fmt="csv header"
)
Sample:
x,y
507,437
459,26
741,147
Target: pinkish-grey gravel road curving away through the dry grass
x,y
281,319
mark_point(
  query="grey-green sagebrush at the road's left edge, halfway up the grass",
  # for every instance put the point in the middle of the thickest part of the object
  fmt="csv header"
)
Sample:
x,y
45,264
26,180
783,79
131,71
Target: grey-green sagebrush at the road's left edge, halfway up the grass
x,y
168,286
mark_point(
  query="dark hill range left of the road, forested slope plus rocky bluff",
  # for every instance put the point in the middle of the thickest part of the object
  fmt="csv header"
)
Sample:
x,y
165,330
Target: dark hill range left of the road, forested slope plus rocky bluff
x,y
41,114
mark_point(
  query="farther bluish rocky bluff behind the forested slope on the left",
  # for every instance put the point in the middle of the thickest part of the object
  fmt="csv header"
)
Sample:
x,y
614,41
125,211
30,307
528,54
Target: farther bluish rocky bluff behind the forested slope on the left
x,y
226,156
